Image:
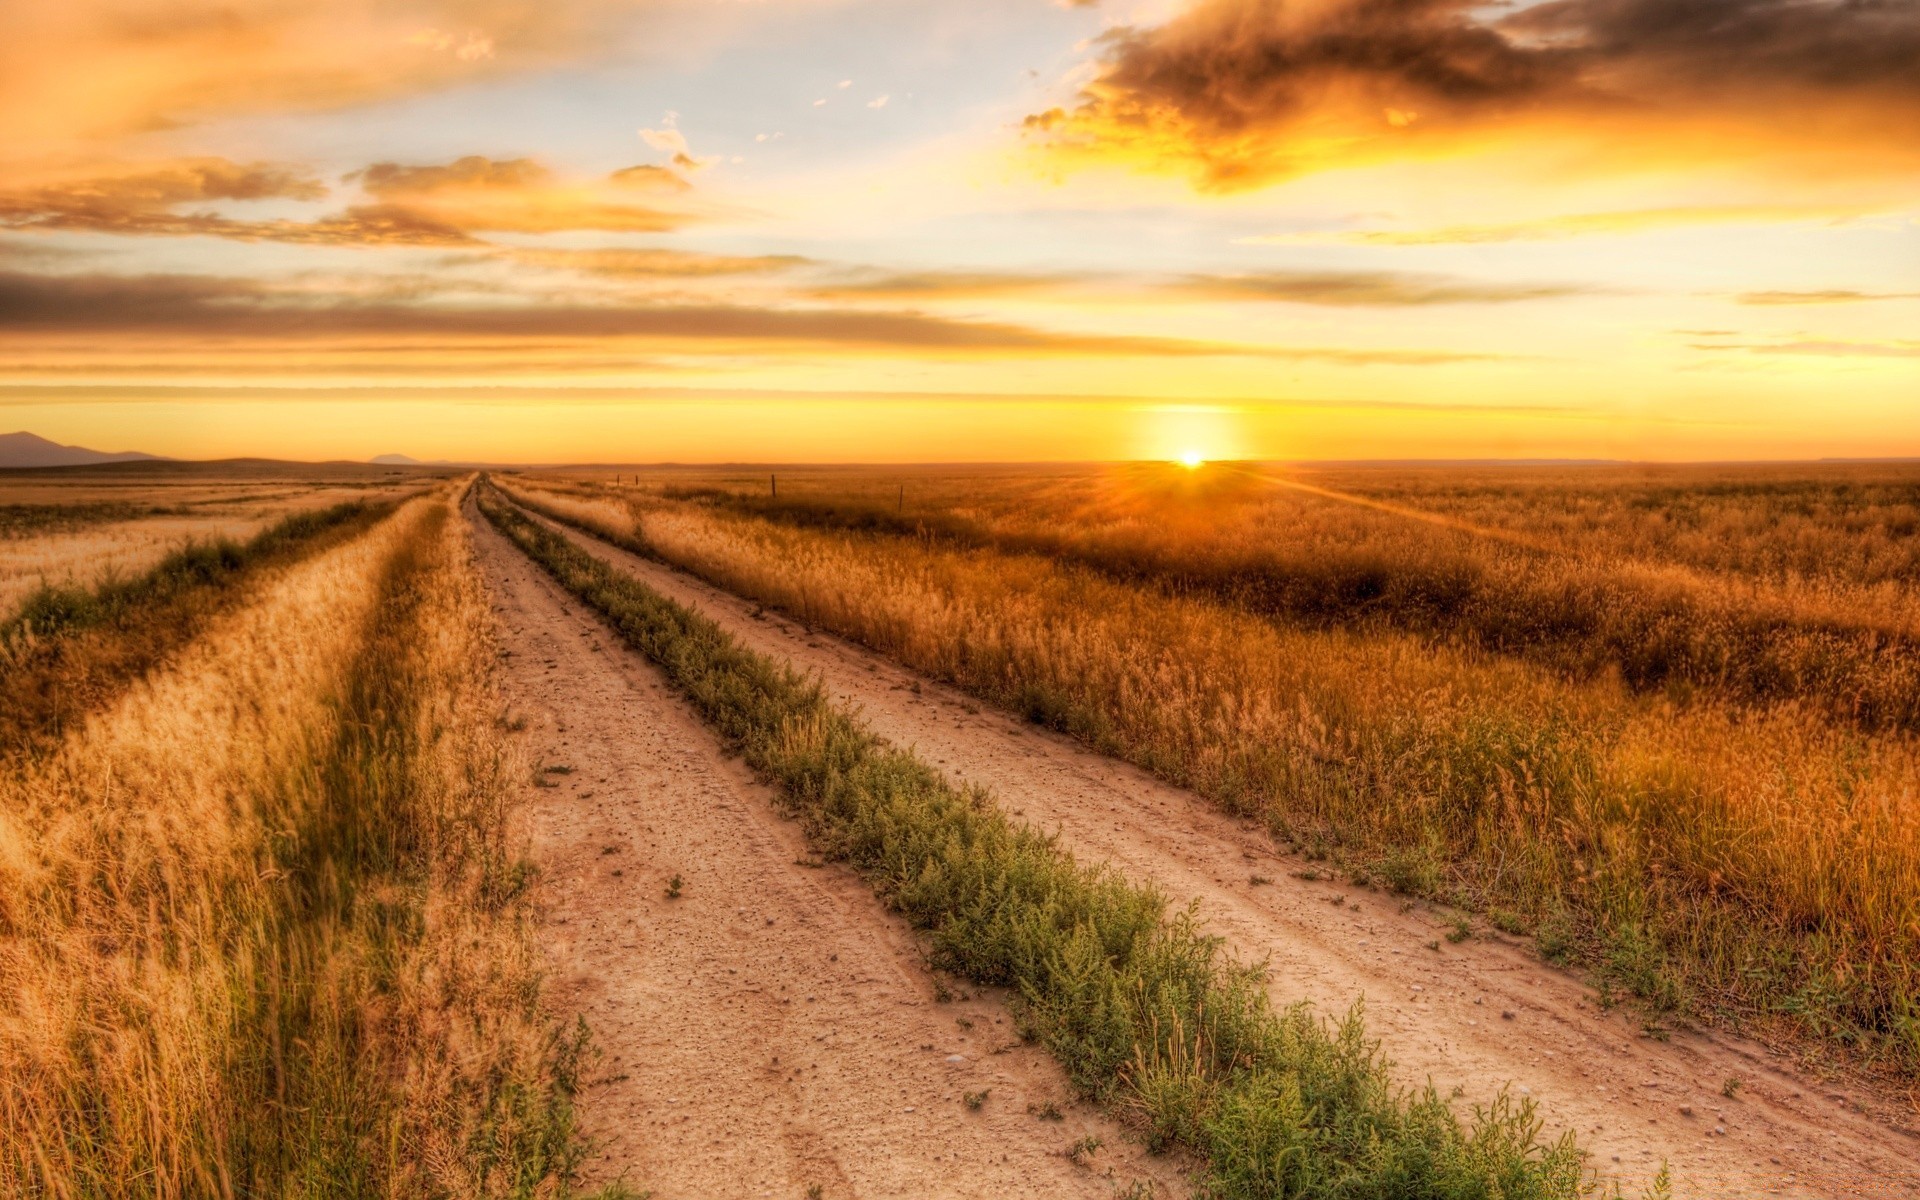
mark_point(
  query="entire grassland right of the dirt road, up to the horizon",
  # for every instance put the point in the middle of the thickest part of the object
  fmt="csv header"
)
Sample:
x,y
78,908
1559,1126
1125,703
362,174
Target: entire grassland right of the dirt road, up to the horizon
x,y
1694,775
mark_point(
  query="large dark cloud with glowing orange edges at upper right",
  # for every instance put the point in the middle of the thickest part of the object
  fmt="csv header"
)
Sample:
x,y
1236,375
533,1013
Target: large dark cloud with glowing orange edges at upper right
x,y
1243,93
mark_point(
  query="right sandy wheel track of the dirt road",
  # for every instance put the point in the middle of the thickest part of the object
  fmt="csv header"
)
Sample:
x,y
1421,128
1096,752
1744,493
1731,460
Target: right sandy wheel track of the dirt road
x,y
1479,1017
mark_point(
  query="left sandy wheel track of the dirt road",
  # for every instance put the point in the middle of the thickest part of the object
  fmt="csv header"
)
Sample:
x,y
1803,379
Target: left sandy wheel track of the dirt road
x,y
773,1028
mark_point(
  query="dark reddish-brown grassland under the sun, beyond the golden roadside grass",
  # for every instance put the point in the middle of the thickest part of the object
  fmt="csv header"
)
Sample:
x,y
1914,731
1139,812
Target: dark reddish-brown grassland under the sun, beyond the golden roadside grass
x,y
1666,619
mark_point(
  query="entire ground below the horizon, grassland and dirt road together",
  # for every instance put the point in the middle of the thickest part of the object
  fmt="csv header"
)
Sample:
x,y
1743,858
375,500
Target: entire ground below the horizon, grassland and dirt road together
x,y
990,832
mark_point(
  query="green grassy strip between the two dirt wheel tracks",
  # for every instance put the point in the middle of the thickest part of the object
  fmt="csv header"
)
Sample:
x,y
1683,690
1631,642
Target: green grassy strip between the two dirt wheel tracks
x,y
1143,1011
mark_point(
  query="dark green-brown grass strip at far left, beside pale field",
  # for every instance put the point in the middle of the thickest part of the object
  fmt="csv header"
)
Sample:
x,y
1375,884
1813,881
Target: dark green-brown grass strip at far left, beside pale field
x,y
68,650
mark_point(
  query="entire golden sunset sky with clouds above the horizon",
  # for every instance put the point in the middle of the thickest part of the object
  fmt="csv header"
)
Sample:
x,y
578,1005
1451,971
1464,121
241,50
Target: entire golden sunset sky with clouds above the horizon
x,y
963,229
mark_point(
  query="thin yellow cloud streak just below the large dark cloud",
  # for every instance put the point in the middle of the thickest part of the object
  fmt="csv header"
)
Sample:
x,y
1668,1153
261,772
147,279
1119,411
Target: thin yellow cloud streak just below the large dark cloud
x,y
1572,226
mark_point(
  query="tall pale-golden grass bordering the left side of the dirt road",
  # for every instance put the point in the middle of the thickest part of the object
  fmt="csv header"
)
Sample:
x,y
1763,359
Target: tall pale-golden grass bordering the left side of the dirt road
x,y
262,926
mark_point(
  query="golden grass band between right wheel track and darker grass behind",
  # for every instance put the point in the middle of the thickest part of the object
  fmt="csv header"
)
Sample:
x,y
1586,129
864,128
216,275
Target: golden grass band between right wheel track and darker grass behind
x,y
1762,867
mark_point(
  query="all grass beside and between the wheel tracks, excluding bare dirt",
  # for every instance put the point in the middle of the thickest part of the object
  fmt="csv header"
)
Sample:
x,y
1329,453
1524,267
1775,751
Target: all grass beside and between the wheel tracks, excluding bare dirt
x,y
272,919
